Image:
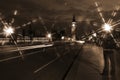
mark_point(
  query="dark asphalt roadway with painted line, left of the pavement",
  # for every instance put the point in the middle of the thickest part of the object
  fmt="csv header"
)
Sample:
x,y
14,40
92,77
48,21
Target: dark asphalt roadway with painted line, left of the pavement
x,y
48,63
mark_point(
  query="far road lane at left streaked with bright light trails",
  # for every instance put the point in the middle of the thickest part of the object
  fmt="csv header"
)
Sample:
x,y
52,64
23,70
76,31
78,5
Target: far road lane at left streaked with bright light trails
x,y
9,51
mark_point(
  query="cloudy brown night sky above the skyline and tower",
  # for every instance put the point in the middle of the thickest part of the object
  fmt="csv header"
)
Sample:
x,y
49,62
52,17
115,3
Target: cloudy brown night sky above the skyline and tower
x,y
52,11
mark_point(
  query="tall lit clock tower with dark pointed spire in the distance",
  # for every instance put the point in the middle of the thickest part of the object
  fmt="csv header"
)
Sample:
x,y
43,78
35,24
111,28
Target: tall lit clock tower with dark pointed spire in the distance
x,y
73,28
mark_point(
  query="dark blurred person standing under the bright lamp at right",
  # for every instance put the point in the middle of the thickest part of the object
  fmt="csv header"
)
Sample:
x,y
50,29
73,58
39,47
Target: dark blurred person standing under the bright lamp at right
x,y
109,57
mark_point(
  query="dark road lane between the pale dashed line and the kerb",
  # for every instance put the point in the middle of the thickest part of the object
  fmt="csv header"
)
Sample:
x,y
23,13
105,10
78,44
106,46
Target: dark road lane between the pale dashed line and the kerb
x,y
58,69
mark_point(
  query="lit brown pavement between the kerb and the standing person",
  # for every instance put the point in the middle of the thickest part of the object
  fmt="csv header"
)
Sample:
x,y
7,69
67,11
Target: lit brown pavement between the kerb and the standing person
x,y
88,65
